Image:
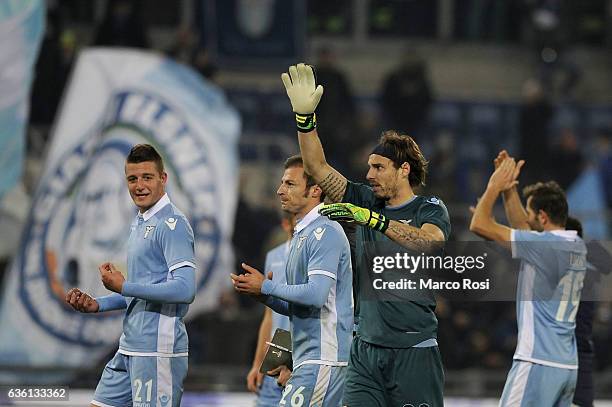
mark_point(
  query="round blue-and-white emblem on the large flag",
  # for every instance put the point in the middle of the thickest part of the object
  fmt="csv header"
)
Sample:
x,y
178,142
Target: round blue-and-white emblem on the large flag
x,y
86,188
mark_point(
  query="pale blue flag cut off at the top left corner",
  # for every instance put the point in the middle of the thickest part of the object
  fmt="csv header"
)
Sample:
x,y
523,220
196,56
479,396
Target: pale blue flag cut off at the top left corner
x,y
21,30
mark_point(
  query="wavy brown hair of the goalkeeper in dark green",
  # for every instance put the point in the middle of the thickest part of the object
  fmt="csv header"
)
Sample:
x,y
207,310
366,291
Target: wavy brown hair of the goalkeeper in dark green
x,y
406,150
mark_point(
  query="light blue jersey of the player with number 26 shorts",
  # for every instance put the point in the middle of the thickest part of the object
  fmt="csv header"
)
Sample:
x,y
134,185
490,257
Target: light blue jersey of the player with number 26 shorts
x,y
321,336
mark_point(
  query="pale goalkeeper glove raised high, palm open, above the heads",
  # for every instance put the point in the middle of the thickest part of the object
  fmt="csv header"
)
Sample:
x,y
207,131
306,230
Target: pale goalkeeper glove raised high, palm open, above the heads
x,y
304,95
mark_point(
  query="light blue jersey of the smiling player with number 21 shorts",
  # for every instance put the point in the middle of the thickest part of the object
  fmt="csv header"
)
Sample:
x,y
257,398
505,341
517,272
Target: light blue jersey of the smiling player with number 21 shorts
x,y
161,241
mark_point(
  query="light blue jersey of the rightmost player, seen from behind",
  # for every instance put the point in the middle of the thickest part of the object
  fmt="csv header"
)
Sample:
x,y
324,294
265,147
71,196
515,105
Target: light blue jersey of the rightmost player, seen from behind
x,y
553,266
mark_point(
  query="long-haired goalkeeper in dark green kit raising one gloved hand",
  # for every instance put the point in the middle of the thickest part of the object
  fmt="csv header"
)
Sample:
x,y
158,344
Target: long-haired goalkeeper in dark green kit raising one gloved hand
x,y
394,358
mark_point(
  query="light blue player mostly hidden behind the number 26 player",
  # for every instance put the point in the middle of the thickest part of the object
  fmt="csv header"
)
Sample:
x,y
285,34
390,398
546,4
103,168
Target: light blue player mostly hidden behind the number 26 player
x,y
269,390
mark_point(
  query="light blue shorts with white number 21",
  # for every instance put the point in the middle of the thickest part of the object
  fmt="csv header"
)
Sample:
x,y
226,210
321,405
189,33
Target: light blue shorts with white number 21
x,y
141,381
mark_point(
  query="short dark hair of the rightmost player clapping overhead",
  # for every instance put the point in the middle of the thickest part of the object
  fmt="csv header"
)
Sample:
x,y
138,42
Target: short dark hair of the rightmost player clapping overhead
x,y
550,198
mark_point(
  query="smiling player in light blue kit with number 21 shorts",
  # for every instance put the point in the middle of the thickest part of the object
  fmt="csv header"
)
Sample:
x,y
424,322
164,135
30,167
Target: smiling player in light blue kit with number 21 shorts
x,y
151,363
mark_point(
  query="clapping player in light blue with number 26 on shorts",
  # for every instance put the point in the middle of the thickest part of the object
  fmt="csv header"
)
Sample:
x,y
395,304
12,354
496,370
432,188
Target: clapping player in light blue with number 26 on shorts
x,y
317,297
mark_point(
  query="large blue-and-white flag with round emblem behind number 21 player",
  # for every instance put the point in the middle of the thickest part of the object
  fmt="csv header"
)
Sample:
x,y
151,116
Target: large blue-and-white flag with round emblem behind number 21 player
x,y
81,212
